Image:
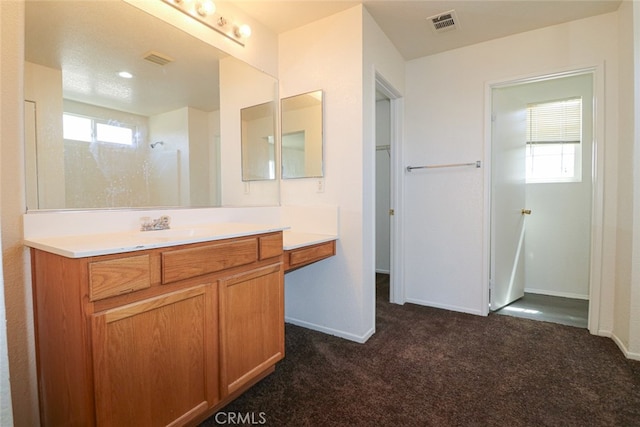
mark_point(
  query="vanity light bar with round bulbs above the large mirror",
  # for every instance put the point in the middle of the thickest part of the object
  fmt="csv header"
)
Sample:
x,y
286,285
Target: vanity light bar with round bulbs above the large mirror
x,y
203,11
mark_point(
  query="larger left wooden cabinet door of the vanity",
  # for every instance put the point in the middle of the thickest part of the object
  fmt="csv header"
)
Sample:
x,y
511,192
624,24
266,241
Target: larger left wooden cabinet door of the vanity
x,y
155,361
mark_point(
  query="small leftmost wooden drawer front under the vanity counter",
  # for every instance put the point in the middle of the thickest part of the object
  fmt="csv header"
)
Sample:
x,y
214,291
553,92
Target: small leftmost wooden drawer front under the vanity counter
x,y
118,276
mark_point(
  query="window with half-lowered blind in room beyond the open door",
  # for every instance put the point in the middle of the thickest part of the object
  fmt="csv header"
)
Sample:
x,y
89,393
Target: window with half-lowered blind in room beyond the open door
x,y
554,141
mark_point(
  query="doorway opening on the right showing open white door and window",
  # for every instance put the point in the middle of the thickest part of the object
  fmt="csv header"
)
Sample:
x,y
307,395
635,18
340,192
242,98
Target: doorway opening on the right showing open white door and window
x,y
542,198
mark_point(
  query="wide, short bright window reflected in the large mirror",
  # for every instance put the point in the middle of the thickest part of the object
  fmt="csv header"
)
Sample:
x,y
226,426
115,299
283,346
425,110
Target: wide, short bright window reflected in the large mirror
x,y
88,129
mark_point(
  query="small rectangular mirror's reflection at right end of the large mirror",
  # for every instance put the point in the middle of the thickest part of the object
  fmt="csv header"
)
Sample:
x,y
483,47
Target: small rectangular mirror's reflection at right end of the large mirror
x,y
258,142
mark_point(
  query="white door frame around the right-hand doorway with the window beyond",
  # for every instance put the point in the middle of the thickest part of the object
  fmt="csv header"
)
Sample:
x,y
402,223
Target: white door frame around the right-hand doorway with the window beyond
x,y
597,199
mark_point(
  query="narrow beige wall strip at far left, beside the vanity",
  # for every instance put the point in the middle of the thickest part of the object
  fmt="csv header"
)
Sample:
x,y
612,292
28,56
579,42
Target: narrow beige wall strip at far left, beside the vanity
x,y
16,278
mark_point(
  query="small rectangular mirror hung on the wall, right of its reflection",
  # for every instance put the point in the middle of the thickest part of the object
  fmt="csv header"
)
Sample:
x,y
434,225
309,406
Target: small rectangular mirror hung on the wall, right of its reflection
x,y
302,135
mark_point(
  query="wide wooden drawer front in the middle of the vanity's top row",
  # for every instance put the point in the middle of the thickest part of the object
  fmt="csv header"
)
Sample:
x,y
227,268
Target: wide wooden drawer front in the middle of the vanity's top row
x,y
191,262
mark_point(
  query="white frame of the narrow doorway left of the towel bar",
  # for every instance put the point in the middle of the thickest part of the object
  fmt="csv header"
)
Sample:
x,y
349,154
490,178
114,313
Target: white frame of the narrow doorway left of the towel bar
x,y
396,274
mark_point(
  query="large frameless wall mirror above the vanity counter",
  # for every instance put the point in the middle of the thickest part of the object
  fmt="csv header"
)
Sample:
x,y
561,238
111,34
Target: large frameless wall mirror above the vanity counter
x,y
98,137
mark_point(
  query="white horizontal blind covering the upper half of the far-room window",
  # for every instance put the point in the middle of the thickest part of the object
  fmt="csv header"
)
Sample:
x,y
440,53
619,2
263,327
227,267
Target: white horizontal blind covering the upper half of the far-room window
x,y
555,122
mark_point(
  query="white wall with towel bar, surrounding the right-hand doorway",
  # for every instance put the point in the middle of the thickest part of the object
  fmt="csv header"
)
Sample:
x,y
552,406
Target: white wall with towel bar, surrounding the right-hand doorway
x,y
445,123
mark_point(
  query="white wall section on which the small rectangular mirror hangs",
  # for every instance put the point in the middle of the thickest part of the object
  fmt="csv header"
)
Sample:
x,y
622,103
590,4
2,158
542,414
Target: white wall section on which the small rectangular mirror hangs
x,y
330,295
